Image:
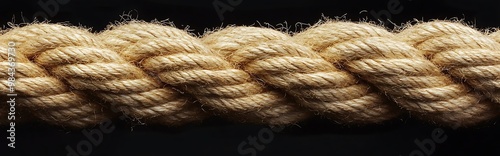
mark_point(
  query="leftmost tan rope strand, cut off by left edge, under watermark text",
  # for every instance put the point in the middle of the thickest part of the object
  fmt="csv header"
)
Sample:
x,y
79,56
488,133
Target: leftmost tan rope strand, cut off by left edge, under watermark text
x,y
48,98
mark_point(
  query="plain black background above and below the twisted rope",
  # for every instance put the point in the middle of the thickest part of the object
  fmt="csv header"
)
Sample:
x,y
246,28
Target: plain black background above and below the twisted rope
x,y
219,137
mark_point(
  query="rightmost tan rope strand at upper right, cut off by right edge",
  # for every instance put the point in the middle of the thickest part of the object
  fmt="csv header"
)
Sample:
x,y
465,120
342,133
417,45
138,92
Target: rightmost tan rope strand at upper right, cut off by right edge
x,y
463,52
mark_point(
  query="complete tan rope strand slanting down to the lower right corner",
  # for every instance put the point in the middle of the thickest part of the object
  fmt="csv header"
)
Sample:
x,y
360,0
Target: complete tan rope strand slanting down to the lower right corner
x,y
400,70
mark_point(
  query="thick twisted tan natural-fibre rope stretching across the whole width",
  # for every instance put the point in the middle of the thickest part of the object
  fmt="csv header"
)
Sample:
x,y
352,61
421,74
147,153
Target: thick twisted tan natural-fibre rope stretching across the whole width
x,y
353,73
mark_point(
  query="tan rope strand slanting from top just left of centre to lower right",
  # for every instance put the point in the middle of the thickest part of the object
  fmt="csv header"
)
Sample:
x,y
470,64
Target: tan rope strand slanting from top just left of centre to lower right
x,y
298,71
